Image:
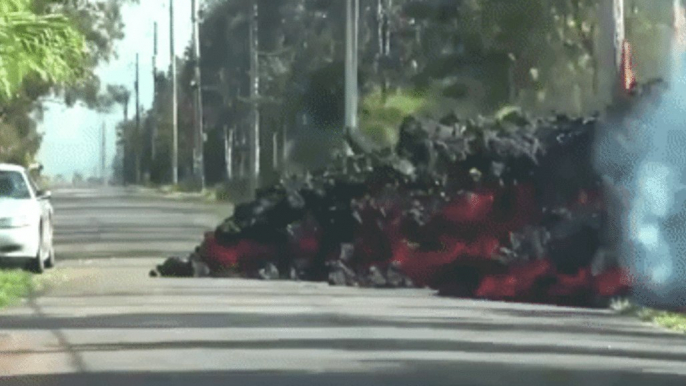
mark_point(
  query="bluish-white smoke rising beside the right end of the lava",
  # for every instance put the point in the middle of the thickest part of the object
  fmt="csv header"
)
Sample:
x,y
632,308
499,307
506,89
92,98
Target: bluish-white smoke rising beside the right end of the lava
x,y
642,156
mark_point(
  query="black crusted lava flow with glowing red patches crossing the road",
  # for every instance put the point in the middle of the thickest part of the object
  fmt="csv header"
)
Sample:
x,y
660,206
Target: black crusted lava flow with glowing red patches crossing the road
x,y
487,214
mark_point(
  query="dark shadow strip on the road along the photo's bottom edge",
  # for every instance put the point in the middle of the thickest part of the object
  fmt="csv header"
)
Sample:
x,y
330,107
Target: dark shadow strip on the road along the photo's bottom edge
x,y
448,375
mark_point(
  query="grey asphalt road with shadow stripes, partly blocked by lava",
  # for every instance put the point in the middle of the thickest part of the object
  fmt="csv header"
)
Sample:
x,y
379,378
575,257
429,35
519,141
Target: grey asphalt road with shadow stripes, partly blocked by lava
x,y
103,321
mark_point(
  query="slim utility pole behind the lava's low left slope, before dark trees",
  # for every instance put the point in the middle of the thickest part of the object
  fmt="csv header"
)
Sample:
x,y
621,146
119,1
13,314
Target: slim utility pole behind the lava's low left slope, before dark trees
x,y
254,136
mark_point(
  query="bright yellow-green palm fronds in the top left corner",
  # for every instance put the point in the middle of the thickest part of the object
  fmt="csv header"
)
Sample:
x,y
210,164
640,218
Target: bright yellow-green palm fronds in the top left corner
x,y
44,45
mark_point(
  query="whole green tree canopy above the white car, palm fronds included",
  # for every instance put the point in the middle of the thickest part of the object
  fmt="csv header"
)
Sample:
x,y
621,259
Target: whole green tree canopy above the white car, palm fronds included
x,y
50,47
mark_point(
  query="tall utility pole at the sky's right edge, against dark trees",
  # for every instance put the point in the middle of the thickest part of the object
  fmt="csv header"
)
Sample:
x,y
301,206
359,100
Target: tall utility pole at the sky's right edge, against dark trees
x,y
199,161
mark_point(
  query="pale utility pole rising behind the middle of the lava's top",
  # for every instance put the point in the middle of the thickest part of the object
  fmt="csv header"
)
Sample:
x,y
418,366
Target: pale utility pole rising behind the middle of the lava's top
x,y
351,63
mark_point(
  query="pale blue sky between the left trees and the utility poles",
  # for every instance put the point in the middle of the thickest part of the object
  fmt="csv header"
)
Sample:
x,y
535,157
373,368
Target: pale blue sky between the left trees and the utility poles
x,y
71,141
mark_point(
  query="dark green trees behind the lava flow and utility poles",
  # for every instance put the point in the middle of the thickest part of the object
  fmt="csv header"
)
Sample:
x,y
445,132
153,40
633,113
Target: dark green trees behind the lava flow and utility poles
x,y
469,57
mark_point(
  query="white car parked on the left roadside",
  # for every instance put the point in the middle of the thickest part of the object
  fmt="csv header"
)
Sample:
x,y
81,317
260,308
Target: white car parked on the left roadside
x,y
26,225
